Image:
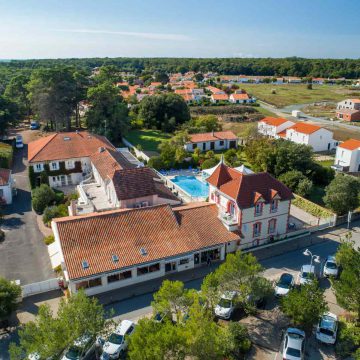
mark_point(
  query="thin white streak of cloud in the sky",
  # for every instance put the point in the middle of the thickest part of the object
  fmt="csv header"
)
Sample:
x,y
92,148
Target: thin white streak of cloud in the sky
x,y
143,35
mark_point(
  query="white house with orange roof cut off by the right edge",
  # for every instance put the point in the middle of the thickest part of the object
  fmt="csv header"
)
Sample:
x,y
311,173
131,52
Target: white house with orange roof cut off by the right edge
x,y
347,158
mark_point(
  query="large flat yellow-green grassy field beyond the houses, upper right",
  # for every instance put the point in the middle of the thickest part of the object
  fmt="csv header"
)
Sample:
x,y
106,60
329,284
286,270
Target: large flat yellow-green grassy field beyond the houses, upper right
x,y
289,94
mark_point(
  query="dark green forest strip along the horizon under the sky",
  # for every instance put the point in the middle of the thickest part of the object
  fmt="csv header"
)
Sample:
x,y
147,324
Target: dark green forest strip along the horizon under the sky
x,y
293,66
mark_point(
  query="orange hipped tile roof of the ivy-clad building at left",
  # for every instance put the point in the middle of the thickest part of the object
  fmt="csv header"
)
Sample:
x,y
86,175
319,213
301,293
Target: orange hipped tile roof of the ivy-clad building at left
x,y
67,145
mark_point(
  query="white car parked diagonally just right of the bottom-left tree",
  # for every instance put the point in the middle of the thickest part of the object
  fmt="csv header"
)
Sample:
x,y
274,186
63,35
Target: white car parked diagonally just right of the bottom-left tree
x,y
117,343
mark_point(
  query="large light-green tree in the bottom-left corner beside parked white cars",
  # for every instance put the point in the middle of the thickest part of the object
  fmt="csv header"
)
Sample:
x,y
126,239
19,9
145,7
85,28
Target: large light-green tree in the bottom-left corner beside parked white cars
x,y
48,335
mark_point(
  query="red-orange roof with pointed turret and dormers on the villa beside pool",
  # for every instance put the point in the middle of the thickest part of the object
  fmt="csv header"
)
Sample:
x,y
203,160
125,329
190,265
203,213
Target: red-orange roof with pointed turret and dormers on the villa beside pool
x,y
246,189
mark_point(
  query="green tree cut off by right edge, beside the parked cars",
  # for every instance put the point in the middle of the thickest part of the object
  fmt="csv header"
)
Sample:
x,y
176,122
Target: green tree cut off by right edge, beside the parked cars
x,y
347,287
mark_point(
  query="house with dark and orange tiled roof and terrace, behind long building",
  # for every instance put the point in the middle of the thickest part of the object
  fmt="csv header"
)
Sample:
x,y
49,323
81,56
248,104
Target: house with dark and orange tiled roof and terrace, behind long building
x,y
116,183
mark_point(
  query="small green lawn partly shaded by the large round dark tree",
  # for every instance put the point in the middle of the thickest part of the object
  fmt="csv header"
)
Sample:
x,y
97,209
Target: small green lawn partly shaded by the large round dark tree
x,y
148,139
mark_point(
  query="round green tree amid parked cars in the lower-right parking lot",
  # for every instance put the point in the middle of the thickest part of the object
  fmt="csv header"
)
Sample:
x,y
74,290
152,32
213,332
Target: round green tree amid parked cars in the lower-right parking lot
x,y
304,306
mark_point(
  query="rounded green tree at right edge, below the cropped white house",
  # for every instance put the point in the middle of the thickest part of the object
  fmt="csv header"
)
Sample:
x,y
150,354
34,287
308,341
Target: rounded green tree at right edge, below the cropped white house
x,y
342,194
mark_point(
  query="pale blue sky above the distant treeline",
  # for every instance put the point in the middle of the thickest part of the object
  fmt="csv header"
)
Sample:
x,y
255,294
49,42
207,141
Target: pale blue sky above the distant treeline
x,y
179,28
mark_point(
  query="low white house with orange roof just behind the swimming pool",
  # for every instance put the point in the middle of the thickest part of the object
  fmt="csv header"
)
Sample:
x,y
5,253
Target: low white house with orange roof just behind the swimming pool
x,y
218,140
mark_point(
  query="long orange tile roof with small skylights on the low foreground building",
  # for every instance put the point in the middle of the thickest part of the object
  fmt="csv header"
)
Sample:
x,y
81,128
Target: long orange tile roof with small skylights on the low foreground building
x,y
162,231
